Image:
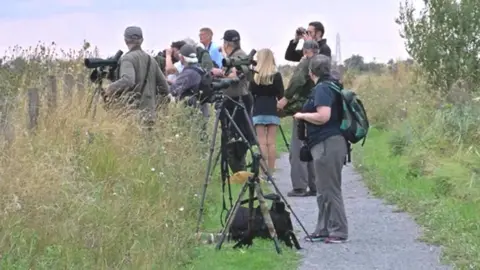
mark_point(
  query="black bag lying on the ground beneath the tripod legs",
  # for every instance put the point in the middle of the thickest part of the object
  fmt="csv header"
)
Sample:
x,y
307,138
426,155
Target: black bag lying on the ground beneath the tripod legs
x,y
281,222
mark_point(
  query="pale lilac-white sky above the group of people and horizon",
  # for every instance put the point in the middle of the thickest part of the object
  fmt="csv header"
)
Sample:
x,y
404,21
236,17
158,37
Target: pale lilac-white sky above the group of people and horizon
x,y
366,27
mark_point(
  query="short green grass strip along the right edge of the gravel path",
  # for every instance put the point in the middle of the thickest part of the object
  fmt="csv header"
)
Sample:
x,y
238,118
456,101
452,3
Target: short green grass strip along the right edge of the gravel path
x,y
450,219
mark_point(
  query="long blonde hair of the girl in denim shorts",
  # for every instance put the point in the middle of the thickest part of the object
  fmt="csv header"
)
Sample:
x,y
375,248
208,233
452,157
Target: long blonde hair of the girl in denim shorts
x,y
265,68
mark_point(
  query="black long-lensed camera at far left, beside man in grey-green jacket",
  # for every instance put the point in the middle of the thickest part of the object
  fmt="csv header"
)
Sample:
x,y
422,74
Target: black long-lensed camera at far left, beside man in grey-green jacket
x,y
103,68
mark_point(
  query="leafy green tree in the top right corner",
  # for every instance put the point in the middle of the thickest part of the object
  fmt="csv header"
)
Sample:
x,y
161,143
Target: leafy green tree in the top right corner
x,y
444,39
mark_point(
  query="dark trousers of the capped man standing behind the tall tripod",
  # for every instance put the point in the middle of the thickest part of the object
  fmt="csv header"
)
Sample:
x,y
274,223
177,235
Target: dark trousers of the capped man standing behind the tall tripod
x,y
236,149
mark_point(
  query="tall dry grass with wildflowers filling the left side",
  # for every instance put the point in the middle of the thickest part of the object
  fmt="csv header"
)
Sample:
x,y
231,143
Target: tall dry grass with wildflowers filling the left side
x,y
94,194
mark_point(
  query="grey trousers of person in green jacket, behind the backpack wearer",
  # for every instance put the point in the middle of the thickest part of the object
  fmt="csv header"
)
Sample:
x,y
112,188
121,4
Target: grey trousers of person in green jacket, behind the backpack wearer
x,y
301,173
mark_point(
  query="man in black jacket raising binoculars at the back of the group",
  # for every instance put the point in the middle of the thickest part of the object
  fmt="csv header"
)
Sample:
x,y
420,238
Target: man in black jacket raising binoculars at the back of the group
x,y
315,31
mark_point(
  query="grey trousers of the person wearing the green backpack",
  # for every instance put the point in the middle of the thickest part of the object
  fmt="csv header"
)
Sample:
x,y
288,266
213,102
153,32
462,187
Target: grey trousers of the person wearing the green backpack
x,y
328,157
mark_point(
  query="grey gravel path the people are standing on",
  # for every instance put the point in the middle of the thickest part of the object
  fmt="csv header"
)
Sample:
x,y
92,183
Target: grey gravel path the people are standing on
x,y
380,238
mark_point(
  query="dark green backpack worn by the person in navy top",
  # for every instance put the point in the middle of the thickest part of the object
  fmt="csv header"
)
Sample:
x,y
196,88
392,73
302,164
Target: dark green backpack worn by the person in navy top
x,y
355,123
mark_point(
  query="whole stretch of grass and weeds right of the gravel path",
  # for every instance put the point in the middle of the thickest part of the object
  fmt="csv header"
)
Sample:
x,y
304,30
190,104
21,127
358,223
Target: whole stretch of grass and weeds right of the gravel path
x,y
423,155
